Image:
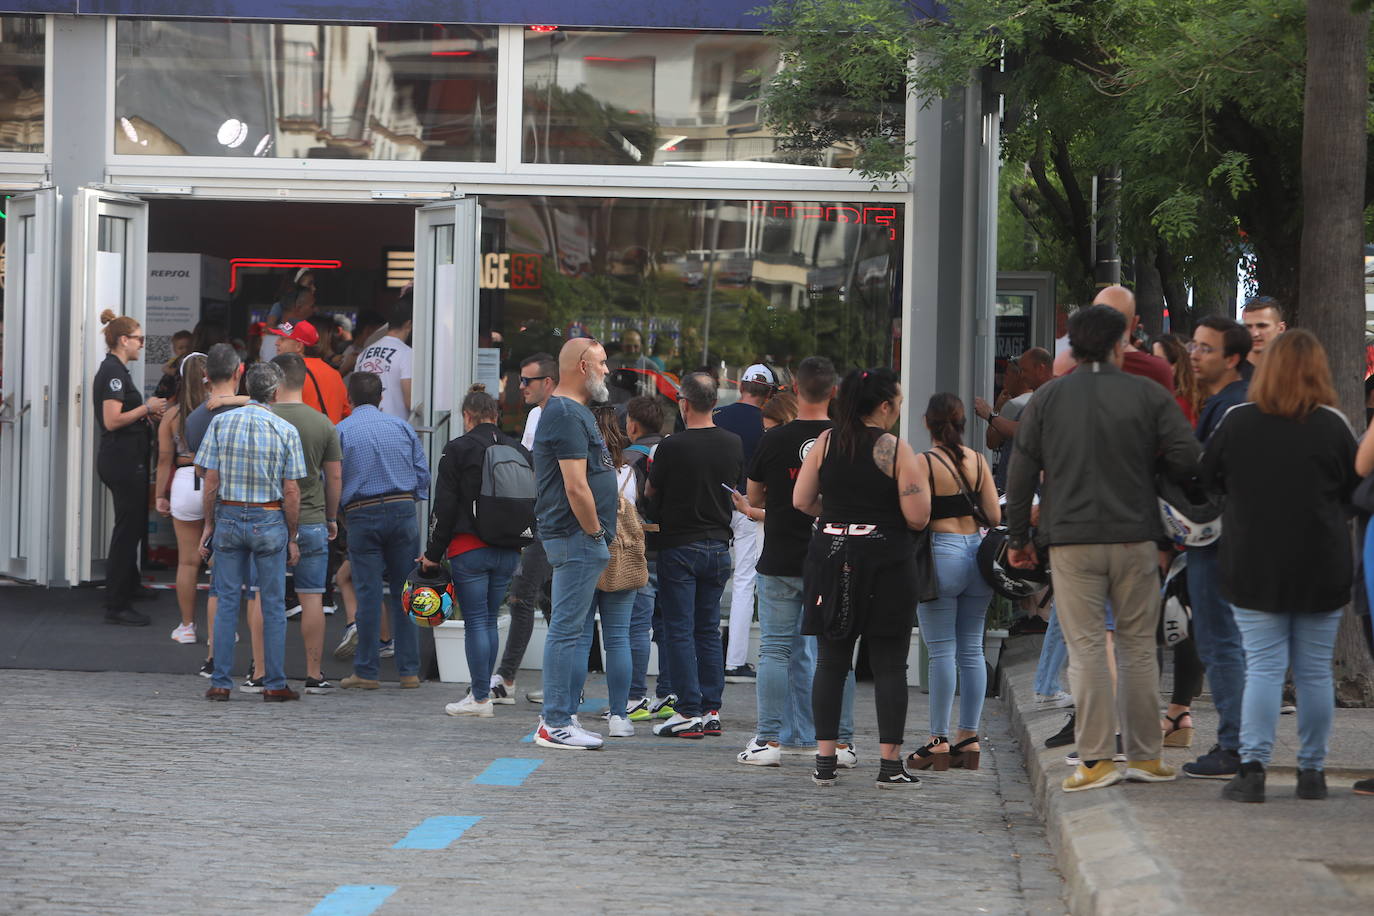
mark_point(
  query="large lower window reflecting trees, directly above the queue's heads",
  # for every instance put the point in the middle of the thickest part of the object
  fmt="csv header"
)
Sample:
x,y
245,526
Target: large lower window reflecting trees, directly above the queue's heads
x,y
674,286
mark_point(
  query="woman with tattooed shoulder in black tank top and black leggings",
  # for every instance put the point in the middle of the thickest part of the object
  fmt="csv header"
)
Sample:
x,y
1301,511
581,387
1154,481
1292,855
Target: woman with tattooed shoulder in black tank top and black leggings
x,y
869,491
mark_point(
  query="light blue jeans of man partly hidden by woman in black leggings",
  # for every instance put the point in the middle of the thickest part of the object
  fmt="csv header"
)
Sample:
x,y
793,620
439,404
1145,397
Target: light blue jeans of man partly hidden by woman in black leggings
x,y
788,668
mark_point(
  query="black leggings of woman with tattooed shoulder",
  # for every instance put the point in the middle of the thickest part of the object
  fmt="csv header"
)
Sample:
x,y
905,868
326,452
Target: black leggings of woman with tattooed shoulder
x,y
887,659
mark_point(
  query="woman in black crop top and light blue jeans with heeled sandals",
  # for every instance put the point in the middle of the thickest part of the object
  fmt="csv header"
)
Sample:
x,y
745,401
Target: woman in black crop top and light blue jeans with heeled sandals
x,y
964,499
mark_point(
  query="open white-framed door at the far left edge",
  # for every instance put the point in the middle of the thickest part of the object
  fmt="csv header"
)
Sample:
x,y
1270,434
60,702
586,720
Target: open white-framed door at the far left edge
x,y
28,385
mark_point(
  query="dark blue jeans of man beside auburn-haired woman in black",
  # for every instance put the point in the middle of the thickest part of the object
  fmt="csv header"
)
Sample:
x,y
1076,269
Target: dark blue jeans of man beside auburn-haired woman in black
x,y
1218,642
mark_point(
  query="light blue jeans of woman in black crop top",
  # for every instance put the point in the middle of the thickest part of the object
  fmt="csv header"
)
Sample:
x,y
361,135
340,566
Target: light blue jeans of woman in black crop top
x,y
953,627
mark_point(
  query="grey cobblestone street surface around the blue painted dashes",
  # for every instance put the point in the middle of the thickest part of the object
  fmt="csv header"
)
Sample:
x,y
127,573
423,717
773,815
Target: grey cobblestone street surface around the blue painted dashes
x,y
131,794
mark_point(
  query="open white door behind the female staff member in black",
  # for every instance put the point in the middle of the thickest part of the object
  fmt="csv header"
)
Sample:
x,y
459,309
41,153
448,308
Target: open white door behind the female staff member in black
x,y
109,271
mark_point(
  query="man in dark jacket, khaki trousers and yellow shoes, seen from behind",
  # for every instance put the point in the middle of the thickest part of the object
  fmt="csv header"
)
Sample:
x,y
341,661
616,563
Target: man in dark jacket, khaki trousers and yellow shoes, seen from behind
x,y
1099,436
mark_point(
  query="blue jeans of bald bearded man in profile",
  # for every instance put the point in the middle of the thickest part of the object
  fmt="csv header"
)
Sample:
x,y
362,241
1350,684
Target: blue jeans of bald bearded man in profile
x,y
578,562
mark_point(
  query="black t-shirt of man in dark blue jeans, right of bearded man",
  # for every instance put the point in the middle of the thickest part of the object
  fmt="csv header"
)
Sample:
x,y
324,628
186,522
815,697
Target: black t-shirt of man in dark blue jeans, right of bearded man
x,y
689,502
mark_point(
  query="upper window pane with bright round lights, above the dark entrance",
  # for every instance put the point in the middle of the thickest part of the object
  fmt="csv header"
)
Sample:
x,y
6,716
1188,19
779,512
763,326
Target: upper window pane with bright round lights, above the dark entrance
x,y
297,91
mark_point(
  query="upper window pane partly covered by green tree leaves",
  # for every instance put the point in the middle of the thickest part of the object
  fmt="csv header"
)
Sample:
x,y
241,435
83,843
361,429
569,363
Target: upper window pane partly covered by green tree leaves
x,y
652,98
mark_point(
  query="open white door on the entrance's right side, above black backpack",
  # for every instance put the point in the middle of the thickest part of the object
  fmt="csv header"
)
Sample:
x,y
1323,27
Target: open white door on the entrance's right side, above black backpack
x,y
446,319
